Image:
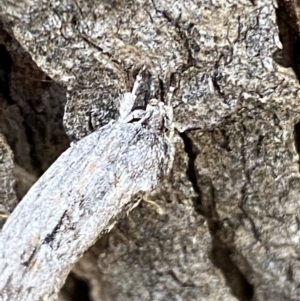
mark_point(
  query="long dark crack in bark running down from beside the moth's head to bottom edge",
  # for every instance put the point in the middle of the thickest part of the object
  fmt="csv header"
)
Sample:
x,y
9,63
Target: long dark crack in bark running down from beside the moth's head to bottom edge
x,y
221,249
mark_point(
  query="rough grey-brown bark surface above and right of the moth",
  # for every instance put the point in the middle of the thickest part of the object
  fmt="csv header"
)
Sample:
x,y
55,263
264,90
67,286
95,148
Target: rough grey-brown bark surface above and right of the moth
x,y
230,230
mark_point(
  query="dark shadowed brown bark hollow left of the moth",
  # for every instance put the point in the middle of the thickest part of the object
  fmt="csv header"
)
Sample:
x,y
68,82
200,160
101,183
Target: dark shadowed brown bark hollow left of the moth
x,y
31,111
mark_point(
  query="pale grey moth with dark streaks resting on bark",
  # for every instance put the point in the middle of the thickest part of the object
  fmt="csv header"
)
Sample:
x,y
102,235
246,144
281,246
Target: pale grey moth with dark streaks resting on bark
x,y
81,196
